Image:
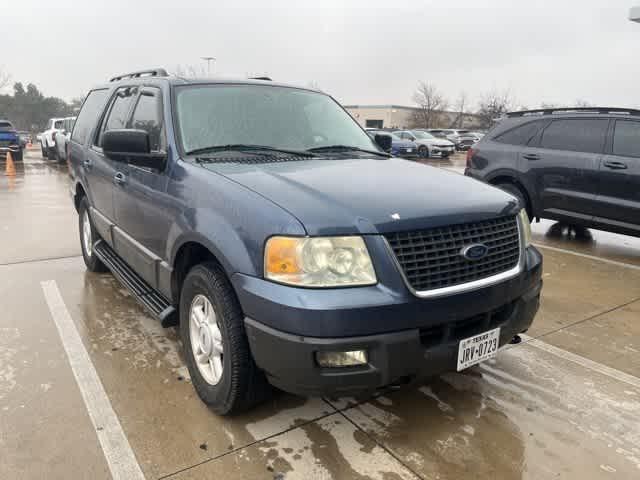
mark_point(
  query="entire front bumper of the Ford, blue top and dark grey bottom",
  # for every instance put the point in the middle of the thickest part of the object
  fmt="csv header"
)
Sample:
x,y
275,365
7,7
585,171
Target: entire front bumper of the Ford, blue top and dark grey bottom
x,y
406,337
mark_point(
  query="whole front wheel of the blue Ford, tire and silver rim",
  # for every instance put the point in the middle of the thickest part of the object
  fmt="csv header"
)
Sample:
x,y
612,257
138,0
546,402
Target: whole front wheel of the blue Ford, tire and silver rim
x,y
215,343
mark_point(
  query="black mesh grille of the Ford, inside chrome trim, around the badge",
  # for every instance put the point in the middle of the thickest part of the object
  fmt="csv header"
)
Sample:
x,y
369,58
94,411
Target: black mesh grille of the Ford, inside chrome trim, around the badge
x,y
432,259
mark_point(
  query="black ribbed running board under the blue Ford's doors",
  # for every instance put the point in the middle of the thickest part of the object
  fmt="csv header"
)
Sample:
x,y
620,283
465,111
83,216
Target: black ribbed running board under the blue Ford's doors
x,y
145,294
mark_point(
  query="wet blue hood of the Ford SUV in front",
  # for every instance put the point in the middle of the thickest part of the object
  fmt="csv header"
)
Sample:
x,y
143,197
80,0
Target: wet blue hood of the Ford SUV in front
x,y
369,196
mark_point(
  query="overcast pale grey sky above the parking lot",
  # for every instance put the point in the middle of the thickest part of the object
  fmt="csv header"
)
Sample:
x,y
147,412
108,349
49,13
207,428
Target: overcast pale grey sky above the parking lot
x,y
359,51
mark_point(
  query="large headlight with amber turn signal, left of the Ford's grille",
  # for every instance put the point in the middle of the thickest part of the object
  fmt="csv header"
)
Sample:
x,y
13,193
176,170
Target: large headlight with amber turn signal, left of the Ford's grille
x,y
318,261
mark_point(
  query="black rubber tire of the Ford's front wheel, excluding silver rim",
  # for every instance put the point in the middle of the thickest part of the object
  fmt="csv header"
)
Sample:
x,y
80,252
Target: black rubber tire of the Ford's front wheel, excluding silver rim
x,y
242,385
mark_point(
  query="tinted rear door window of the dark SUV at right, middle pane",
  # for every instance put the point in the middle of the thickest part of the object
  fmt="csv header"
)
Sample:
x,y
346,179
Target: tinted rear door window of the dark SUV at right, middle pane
x,y
575,135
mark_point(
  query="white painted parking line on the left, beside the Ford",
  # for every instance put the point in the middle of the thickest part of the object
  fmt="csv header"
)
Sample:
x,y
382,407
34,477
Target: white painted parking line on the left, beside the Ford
x,y
117,451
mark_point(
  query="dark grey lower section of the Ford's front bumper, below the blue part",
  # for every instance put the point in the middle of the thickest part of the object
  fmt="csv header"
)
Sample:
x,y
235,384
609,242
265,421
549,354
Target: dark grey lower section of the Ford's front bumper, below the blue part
x,y
396,357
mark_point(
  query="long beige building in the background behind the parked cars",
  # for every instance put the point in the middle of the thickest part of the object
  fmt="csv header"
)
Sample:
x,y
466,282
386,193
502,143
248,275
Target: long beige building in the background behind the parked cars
x,y
399,116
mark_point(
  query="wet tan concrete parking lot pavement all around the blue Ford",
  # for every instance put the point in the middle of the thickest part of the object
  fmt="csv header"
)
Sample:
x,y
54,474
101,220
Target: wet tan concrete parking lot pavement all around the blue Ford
x,y
564,403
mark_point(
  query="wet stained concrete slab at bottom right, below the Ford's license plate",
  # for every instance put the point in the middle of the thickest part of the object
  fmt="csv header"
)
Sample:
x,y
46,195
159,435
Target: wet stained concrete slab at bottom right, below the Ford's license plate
x,y
525,415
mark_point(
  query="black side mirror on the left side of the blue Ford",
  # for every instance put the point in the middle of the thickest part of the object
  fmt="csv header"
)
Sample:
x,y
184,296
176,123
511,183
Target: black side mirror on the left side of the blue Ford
x,y
131,146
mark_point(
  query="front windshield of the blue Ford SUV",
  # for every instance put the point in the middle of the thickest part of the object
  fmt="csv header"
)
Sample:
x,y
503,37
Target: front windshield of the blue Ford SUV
x,y
277,117
